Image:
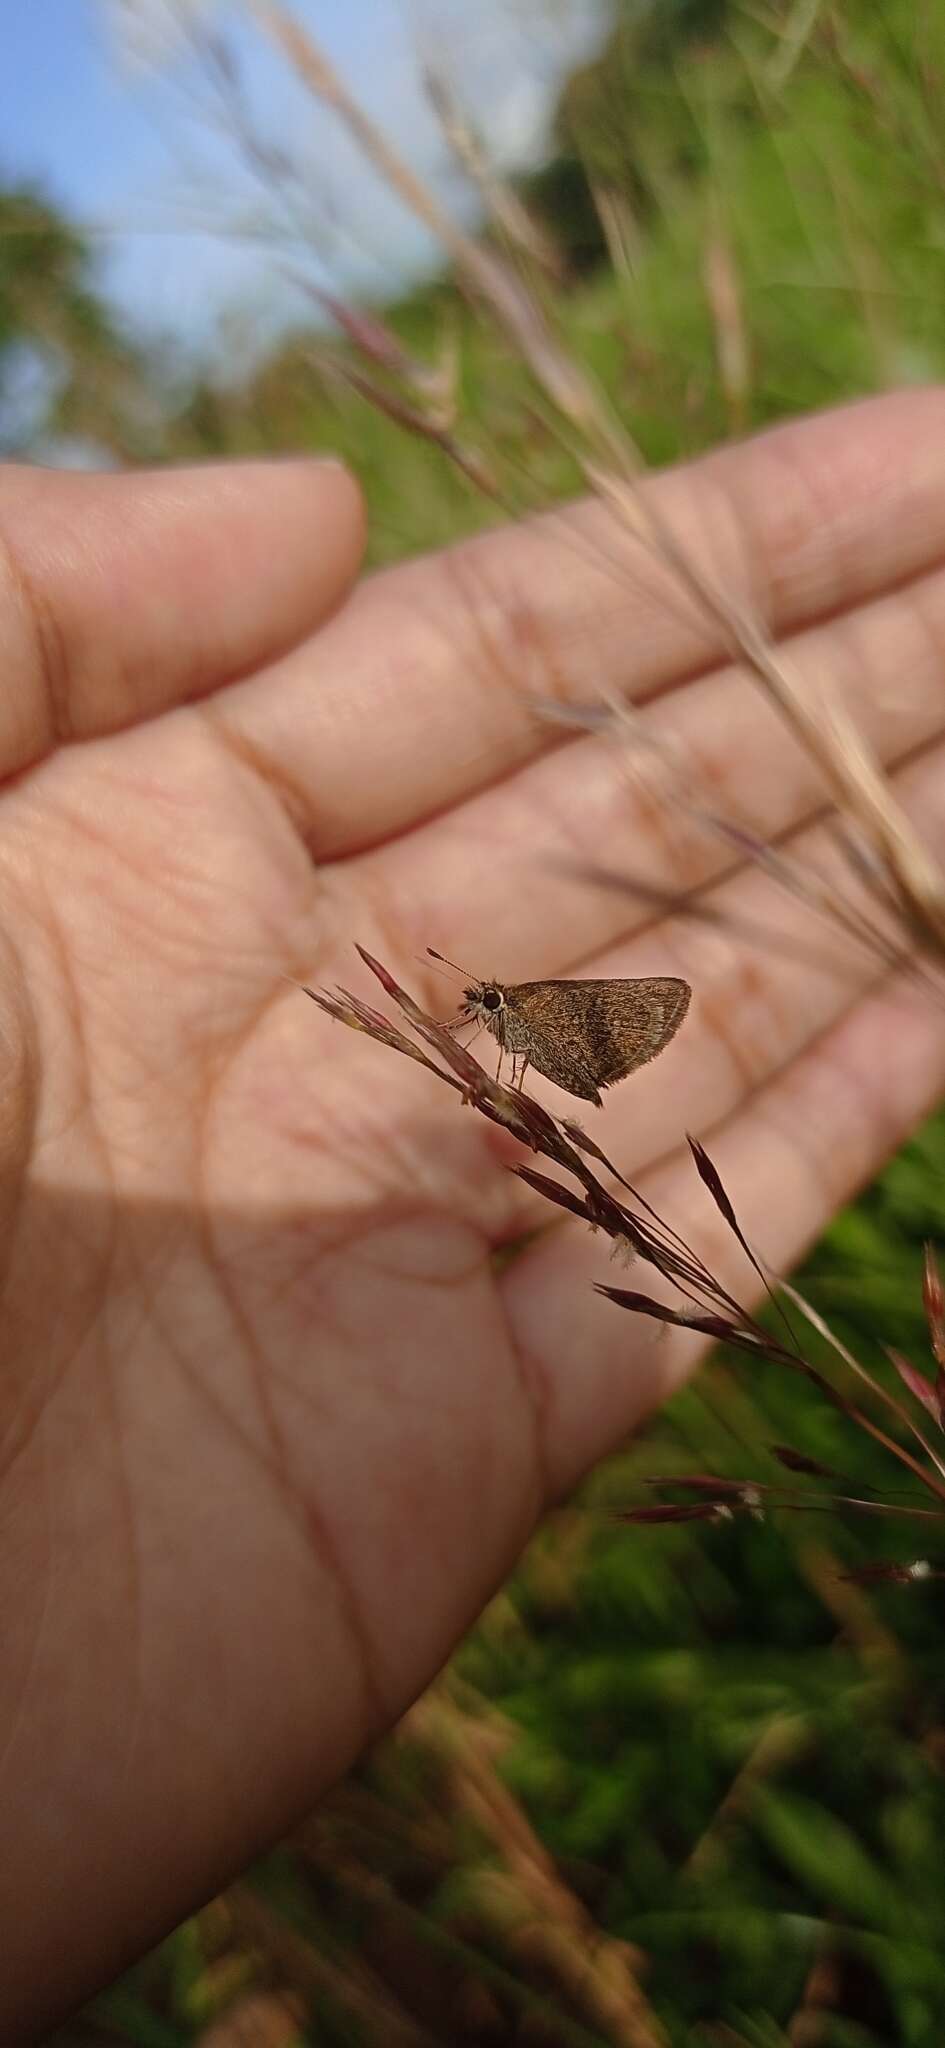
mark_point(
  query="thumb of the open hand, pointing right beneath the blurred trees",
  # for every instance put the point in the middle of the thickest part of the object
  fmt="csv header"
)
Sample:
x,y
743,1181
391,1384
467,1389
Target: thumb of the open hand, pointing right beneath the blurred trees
x,y
126,595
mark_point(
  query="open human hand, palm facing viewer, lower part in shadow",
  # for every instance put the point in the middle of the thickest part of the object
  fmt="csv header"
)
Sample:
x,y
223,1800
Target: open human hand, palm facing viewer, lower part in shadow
x,y
272,1426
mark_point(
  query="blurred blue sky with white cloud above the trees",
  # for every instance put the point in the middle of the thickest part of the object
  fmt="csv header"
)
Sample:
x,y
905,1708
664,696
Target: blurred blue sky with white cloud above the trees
x,y
186,237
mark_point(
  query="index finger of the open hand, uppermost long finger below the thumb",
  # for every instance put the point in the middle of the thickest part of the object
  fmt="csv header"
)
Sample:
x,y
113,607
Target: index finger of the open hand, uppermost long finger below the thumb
x,y
425,689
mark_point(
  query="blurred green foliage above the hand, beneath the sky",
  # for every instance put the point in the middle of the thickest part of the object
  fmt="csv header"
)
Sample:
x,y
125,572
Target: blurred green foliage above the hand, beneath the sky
x,y
772,189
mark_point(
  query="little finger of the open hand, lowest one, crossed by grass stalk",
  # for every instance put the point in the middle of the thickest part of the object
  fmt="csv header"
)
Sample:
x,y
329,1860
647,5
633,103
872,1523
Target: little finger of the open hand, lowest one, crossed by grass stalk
x,y
788,1160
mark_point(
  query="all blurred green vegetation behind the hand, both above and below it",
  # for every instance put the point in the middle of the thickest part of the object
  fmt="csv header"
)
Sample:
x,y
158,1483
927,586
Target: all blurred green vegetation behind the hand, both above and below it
x,y
682,1785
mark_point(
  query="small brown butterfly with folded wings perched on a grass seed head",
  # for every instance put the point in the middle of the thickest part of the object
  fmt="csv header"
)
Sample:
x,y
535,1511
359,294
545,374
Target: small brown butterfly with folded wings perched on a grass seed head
x,y
583,1035
